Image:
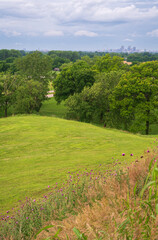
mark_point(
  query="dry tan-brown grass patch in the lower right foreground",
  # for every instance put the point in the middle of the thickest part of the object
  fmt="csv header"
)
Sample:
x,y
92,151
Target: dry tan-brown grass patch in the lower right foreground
x,y
101,220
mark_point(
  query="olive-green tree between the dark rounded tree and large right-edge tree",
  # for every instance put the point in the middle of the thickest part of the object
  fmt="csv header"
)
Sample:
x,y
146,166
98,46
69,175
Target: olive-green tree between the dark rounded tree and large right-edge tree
x,y
92,104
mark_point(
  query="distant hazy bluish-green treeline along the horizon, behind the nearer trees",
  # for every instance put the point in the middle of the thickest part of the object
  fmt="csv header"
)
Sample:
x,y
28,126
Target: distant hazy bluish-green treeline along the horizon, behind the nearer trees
x,y
7,57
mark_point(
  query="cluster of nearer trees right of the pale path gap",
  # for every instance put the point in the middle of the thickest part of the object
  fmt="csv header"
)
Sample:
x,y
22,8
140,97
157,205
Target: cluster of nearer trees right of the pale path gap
x,y
105,90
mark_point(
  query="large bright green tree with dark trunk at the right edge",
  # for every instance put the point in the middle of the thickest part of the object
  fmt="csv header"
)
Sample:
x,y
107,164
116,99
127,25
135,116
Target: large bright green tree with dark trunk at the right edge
x,y
135,99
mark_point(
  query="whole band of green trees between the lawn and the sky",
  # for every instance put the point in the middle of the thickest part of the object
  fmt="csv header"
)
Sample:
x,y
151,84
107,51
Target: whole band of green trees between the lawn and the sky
x,y
100,89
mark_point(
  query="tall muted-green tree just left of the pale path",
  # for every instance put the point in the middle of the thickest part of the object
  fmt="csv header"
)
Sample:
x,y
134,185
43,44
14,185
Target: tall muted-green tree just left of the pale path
x,y
34,70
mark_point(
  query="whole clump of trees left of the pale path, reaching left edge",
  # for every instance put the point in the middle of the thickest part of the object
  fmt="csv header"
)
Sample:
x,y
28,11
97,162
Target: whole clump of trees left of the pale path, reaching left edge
x,y
26,89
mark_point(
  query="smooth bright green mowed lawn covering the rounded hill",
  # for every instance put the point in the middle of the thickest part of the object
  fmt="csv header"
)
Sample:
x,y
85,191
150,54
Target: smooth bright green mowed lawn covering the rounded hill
x,y
37,151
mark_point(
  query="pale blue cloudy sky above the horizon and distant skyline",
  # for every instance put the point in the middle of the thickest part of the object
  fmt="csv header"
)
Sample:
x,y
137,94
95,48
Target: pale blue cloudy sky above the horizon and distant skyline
x,y
81,25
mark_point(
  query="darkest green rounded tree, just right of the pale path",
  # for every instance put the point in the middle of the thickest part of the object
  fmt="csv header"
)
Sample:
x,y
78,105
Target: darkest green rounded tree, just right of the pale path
x,y
72,79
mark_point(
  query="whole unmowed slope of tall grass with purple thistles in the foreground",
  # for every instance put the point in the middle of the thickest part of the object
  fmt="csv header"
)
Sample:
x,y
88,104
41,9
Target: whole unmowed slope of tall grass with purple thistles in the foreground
x,y
118,203
